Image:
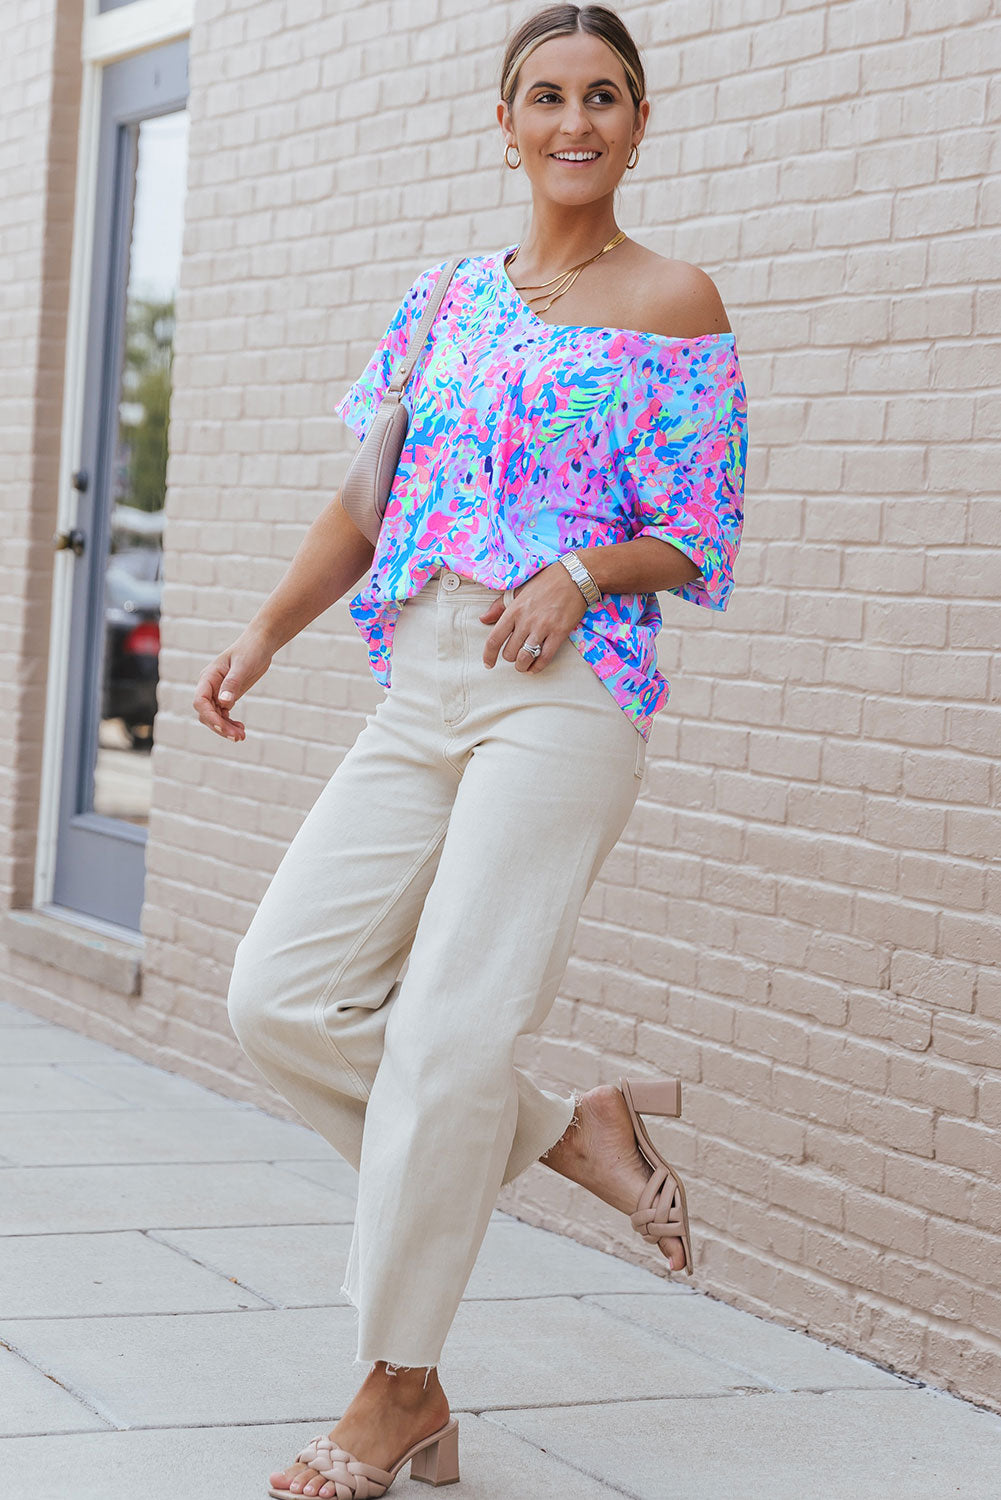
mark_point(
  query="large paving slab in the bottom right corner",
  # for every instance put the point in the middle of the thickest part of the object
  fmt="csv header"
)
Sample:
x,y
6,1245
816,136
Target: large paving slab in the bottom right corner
x,y
838,1445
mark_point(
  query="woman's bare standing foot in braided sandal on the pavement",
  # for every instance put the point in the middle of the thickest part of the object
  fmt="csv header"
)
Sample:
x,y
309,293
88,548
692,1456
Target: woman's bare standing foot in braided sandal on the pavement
x,y
388,1417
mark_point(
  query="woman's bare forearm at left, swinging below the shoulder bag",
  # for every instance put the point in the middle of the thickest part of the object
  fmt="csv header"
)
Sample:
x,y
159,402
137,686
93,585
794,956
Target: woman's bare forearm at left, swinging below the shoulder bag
x,y
331,559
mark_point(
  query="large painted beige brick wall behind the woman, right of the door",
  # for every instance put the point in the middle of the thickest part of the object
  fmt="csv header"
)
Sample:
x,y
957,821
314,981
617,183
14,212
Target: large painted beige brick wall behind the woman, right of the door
x,y
802,917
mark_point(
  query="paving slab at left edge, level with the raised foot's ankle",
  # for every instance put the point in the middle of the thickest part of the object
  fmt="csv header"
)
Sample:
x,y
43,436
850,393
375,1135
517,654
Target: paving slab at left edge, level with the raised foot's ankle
x,y
55,1138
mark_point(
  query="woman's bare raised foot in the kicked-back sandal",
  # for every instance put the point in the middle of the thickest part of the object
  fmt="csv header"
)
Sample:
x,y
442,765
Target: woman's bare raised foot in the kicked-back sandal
x,y
600,1151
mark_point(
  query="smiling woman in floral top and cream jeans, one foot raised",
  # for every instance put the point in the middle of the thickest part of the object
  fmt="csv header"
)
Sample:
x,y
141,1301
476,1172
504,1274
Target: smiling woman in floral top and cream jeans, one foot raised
x,y
577,443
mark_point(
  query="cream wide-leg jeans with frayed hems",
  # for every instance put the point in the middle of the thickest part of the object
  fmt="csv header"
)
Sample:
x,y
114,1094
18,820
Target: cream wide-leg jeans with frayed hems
x,y
455,842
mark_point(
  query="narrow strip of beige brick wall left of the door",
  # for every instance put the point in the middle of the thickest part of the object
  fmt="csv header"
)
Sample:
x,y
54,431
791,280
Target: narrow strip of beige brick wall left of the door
x,y
40,76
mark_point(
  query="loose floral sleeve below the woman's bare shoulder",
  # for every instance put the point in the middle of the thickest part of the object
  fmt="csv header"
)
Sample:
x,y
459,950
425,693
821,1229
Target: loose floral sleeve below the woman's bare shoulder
x,y
682,448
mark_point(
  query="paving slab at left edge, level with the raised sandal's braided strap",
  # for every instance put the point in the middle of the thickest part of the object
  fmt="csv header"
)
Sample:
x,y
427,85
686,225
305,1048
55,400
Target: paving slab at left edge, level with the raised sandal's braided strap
x,y
68,1199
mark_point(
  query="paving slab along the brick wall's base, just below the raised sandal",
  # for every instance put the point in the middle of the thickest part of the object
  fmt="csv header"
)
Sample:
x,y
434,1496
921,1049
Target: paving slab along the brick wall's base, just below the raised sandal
x,y
768,1354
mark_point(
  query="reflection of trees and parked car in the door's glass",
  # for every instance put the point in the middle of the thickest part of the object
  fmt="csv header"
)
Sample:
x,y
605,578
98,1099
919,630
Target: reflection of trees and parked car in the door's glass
x,y
134,578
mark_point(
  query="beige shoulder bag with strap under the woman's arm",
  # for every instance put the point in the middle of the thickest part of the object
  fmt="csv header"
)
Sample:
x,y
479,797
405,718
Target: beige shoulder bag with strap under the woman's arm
x,y
371,473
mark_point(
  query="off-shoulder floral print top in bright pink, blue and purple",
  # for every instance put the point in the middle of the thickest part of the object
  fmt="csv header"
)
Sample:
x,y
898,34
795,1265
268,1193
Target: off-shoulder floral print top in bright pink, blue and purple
x,y
528,439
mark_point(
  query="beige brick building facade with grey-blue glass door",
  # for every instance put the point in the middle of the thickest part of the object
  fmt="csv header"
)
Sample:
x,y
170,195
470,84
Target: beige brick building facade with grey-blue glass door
x,y
211,208
